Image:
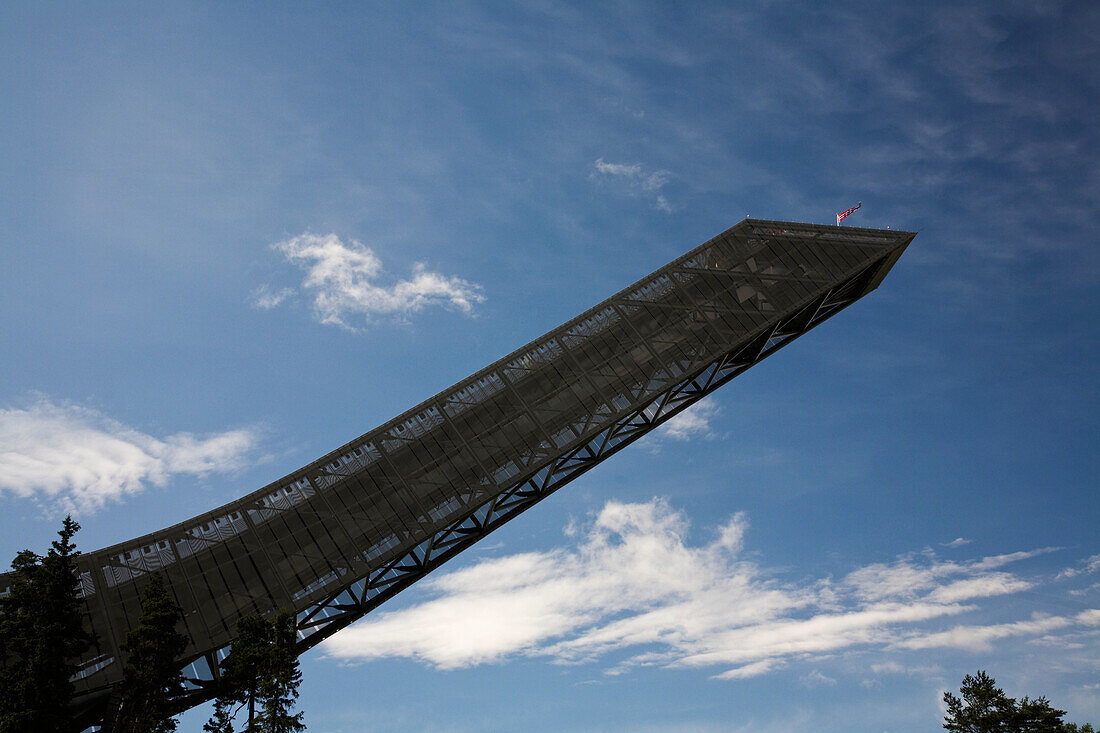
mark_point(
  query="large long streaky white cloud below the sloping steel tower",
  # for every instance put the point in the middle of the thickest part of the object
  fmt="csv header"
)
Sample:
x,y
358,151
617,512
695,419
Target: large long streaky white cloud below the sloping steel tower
x,y
632,583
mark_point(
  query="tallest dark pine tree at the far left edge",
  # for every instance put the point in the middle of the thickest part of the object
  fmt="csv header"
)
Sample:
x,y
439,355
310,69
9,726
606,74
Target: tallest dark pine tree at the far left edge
x,y
45,637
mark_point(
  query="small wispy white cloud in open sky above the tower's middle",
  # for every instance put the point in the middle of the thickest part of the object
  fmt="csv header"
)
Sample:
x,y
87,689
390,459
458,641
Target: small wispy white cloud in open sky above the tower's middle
x,y
344,281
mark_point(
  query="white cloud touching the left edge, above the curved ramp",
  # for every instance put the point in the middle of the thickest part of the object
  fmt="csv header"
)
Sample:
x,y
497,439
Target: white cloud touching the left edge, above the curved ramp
x,y
81,460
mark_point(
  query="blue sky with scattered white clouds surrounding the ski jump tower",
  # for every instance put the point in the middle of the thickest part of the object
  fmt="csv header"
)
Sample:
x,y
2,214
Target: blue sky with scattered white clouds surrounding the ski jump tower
x,y
233,239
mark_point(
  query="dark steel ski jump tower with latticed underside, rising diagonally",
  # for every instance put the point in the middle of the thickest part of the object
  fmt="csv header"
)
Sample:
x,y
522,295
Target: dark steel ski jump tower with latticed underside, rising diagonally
x,y
338,538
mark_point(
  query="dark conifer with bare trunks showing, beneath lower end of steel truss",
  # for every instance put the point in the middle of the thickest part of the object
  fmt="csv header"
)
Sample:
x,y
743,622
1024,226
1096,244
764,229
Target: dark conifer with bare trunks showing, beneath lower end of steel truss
x,y
262,673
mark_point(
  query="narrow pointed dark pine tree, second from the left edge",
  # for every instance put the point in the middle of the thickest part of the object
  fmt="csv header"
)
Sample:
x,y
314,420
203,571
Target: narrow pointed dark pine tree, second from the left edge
x,y
152,676
